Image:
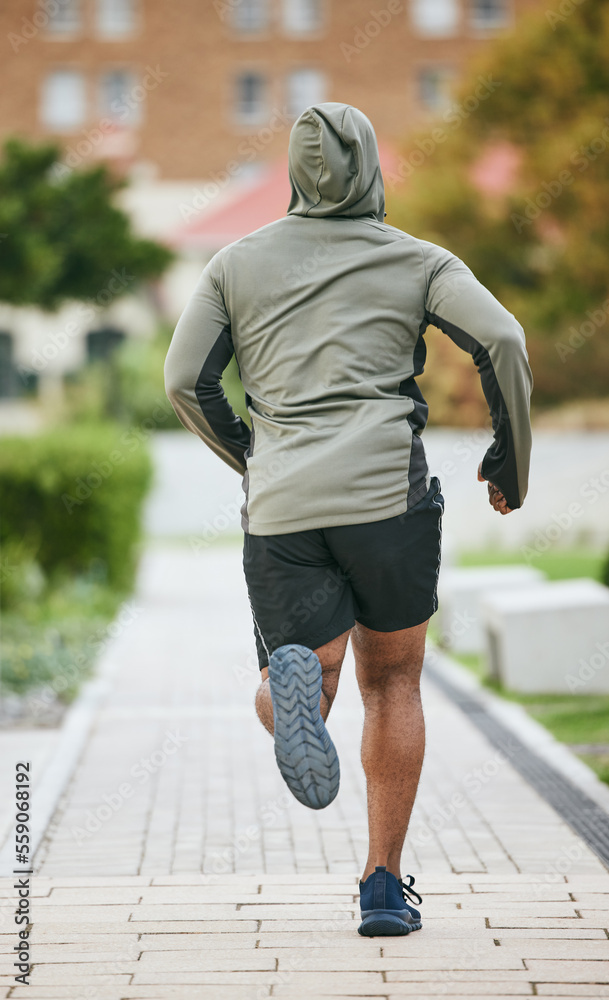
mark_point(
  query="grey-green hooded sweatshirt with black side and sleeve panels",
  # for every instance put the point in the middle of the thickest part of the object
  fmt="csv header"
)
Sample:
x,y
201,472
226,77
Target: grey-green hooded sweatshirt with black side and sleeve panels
x,y
326,312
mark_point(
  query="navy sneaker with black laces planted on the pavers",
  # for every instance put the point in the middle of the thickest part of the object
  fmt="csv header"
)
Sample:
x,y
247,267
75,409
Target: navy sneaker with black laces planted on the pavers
x,y
384,907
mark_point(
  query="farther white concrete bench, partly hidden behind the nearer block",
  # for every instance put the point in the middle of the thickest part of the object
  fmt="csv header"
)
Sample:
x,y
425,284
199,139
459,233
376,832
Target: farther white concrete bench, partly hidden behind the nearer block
x,y
459,592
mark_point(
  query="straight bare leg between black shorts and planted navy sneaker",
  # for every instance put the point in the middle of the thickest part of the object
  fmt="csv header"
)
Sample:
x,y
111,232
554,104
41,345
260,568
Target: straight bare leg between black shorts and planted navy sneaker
x,y
388,669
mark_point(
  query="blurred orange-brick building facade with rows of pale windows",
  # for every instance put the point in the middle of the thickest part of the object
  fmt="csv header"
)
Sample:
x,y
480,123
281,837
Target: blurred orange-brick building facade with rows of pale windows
x,y
191,87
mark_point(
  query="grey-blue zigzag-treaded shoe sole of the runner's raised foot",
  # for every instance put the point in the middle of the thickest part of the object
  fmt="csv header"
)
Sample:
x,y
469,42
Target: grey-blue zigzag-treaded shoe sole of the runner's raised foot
x,y
305,754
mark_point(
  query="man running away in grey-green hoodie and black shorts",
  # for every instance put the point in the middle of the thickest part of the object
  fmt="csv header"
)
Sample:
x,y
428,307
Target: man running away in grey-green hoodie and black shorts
x,y
326,312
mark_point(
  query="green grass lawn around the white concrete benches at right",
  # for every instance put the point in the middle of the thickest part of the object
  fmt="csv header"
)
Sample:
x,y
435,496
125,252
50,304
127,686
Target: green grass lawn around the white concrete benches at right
x,y
572,719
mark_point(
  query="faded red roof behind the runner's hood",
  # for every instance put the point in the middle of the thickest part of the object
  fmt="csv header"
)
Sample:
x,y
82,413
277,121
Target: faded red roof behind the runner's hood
x,y
255,203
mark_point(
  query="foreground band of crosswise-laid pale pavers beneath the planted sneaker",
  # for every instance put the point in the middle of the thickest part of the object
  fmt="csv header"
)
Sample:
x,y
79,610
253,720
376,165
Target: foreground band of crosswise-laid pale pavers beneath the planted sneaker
x,y
261,937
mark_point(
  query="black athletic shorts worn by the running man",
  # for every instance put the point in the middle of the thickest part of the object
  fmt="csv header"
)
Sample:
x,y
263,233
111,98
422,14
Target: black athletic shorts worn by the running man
x,y
308,587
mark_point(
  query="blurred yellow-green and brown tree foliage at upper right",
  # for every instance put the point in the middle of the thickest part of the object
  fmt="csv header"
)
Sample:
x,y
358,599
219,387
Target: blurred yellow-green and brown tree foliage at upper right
x,y
542,246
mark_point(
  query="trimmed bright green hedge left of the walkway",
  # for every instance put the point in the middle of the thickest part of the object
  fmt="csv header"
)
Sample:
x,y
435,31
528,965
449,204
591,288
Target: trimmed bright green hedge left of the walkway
x,y
73,498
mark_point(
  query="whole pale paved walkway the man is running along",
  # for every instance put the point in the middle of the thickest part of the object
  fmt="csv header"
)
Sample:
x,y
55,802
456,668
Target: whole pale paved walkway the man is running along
x,y
177,865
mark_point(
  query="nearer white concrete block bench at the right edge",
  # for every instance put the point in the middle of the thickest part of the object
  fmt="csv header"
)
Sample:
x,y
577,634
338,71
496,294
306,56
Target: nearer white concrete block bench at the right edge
x,y
552,638
